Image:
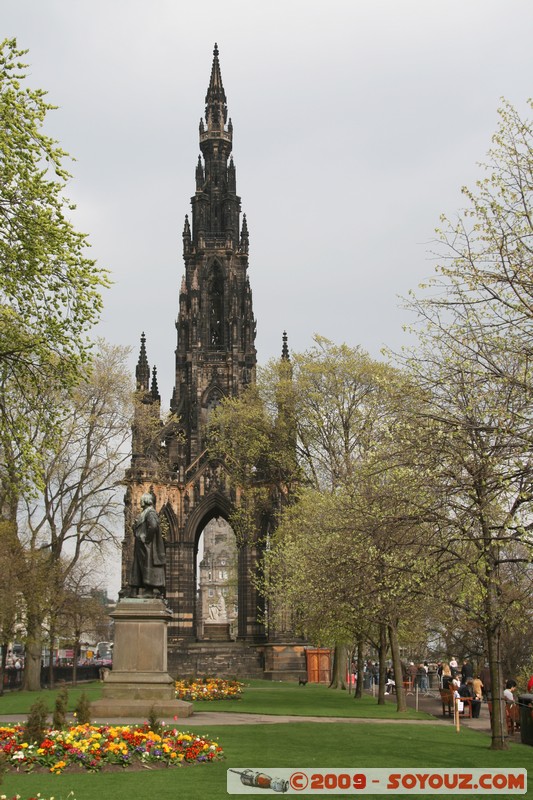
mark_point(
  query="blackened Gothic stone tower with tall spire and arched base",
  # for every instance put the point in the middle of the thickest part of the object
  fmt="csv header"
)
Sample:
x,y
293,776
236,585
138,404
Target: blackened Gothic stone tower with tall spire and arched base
x,y
215,357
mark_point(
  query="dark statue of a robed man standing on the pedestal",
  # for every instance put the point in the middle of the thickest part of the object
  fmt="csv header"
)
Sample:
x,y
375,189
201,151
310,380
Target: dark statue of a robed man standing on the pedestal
x,y
148,568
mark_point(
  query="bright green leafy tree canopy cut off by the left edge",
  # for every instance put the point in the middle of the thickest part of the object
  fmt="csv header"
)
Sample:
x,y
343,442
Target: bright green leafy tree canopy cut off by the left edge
x,y
49,289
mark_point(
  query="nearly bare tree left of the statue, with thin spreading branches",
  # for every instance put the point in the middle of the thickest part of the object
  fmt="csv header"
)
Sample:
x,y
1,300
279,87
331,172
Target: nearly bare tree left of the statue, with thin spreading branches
x,y
82,467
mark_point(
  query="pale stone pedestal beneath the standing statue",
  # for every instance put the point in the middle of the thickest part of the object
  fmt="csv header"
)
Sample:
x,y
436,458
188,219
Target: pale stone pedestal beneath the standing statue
x,y
139,683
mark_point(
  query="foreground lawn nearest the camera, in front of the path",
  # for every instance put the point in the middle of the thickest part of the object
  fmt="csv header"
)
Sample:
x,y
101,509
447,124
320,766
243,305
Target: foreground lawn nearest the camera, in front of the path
x,y
294,745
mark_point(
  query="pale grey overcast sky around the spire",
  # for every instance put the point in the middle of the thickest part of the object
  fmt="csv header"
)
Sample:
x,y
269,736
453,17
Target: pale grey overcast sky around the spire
x,y
356,122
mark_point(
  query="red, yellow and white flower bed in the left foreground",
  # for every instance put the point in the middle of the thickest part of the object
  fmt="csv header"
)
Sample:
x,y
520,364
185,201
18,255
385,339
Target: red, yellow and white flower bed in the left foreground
x,y
92,747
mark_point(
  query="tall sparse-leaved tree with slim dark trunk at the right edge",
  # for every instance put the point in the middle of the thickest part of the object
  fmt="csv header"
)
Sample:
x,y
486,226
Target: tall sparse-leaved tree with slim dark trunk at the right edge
x,y
474,361
